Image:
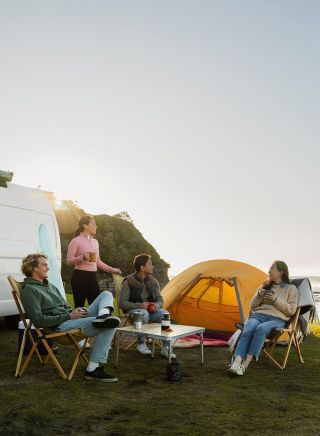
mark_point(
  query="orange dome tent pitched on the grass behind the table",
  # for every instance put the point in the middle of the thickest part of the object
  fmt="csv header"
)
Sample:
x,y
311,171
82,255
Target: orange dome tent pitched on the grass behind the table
x,y
214,294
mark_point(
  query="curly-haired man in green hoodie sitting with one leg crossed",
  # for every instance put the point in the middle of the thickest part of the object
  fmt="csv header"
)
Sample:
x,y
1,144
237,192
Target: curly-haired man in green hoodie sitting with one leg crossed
x,y
46,308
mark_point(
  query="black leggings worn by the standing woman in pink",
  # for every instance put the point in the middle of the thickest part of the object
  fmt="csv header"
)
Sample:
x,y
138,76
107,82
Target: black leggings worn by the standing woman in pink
x,y
84,285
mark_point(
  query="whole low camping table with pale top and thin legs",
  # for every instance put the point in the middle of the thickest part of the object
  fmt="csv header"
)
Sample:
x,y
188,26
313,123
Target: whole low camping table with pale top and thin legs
x,y
154,332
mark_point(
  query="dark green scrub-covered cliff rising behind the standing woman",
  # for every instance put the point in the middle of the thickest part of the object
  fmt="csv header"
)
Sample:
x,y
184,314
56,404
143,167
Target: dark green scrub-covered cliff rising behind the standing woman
x,y
120,241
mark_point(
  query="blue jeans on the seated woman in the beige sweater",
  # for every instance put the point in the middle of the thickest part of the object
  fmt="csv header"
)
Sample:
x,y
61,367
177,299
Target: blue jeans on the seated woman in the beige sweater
x,y
257,327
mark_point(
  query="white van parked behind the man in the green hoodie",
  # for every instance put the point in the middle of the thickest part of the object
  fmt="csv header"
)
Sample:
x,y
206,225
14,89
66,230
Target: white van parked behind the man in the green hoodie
x,y
27,225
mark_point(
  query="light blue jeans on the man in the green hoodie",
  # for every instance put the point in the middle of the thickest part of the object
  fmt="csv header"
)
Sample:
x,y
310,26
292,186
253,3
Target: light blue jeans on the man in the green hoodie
x,y
104,336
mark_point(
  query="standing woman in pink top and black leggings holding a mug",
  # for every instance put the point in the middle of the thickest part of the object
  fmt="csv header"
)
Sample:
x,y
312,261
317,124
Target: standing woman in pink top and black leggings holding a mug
x,y
83,254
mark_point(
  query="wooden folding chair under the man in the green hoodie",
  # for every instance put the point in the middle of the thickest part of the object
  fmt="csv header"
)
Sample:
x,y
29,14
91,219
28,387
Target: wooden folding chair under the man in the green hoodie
x,y
70,337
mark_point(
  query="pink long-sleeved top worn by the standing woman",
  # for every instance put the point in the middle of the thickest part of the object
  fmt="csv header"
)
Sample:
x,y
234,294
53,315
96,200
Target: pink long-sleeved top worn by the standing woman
x,y
85,244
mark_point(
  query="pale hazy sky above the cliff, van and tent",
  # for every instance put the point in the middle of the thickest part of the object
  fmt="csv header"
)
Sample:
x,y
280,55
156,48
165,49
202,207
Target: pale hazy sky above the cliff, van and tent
x,y
200,118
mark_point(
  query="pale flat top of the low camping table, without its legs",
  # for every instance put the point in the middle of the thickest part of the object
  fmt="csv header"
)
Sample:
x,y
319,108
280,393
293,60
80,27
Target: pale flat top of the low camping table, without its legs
x,y
154,331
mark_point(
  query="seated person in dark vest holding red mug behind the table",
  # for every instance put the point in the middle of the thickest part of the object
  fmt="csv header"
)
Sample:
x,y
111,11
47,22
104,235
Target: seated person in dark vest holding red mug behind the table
x,y
137,292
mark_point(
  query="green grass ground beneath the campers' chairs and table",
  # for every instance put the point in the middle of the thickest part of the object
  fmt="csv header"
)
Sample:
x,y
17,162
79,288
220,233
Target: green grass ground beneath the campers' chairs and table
x,y
206,402
